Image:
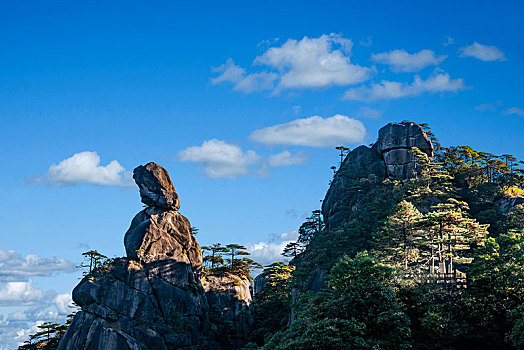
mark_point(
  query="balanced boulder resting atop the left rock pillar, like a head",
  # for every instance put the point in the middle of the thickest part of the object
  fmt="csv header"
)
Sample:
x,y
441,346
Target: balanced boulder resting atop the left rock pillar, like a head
x,y
156,188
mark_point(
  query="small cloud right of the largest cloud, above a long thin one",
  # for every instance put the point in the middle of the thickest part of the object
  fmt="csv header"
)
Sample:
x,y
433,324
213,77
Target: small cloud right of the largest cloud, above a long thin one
x,y
402,61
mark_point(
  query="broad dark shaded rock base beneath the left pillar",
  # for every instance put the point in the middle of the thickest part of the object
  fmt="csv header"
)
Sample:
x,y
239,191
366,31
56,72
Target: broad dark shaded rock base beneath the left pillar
x,y
128,305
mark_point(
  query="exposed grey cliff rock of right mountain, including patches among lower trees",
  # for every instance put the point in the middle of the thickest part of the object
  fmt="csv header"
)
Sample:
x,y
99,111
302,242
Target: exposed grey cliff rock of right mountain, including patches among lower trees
x,y
390,157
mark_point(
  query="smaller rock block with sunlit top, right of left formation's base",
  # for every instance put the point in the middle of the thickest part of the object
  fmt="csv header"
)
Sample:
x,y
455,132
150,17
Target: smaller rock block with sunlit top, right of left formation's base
x,y
231,308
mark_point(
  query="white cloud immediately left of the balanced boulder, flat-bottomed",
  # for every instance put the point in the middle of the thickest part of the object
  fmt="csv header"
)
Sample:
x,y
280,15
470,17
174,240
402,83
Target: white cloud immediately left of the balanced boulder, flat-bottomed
x,y
84,167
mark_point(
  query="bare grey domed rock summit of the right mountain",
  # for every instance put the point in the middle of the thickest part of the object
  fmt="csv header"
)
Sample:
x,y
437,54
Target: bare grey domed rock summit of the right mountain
x,y
390,157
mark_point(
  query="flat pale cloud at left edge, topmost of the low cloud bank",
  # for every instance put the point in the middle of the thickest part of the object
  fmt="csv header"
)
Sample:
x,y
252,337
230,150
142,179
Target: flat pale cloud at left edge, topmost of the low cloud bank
x,y
14,266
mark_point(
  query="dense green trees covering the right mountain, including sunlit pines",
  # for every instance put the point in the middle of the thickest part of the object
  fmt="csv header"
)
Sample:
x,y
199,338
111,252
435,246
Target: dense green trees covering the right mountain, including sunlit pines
x,y
434,262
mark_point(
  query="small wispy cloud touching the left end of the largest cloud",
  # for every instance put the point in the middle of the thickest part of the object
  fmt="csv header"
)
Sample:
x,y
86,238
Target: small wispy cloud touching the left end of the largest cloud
x,y
230,72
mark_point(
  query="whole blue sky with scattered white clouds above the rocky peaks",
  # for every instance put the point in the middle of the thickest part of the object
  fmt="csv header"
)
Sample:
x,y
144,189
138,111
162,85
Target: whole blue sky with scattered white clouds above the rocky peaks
x,y
242,102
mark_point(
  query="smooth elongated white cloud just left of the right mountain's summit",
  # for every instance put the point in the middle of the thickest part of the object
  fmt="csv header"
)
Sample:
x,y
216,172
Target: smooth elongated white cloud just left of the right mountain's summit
x,y
313,131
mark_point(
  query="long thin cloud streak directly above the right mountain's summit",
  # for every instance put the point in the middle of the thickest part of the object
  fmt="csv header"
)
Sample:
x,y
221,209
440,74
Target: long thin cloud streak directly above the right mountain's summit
x,y
440,82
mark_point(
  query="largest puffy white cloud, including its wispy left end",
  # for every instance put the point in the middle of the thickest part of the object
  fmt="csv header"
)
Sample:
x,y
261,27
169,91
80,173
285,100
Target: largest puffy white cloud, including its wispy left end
x,y
309,63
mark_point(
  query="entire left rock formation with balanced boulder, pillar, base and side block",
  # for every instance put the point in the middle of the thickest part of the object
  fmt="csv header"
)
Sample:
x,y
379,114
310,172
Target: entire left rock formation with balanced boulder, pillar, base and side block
x,y
153,299
